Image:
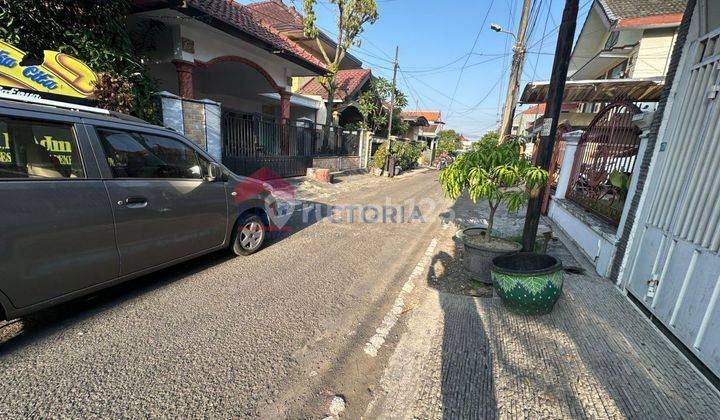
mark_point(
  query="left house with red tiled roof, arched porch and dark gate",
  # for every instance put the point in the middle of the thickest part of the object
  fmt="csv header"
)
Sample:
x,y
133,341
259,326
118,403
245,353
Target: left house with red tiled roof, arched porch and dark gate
x,y
226,71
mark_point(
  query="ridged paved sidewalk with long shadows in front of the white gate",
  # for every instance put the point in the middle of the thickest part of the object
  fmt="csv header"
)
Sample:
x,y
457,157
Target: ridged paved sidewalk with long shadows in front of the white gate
x,y
594,356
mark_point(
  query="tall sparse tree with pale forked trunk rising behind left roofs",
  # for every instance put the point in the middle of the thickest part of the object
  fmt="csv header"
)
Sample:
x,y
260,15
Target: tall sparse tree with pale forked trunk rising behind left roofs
x,y
351,16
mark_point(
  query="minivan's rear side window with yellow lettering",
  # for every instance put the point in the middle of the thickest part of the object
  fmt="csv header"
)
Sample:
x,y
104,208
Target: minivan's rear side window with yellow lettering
x,y
38,149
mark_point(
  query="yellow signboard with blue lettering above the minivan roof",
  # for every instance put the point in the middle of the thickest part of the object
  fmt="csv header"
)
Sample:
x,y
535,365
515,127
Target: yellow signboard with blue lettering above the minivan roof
x,y
59,74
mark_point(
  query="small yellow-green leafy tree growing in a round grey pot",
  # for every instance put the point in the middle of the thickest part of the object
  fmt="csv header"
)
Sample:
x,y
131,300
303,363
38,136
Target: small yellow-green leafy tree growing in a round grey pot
x,y
500,175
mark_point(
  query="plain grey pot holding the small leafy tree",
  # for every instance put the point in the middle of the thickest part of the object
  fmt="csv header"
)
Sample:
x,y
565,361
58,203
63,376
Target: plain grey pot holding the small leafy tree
x,y
478,255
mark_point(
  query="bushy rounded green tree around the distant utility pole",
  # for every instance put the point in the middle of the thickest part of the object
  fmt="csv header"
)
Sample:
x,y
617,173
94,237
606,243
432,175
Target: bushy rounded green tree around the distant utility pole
x,y
373,109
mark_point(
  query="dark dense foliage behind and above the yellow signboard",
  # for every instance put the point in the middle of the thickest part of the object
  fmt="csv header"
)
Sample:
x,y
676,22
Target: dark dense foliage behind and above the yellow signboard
x,y
94,32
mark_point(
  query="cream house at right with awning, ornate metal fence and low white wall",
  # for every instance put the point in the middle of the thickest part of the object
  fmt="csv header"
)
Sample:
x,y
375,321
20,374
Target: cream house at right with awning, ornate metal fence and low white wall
x,y
616,77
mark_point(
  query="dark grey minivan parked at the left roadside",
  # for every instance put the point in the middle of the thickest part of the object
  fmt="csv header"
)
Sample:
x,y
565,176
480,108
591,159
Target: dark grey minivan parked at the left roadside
x,y
89,200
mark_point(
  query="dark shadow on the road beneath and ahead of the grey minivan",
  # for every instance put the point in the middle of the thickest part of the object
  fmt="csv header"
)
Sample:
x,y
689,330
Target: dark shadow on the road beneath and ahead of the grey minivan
x,y
18,333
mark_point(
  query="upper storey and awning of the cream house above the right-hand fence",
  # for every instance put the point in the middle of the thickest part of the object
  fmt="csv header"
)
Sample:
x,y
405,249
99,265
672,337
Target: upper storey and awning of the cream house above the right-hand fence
x,y
623,51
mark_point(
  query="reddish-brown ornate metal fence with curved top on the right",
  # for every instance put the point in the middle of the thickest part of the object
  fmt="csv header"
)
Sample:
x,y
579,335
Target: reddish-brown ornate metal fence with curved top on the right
x,y
606,151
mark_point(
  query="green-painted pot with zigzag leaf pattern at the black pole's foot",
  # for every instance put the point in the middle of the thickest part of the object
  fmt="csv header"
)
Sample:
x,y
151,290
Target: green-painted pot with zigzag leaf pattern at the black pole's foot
x,y
527,282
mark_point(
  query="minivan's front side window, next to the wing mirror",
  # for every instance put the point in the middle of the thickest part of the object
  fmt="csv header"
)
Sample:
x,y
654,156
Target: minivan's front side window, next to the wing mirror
x,y
139,155
